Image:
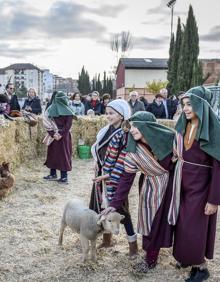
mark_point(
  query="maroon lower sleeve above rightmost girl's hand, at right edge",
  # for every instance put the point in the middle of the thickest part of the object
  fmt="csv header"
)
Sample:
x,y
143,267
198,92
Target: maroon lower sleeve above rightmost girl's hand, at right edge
x,y
214,190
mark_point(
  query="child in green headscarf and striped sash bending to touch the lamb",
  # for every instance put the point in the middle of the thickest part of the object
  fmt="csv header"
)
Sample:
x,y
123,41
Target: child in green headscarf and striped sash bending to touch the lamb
x,y
149,150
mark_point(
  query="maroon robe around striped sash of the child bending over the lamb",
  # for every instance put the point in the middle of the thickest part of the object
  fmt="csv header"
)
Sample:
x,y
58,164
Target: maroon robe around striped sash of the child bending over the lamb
x,y
161,232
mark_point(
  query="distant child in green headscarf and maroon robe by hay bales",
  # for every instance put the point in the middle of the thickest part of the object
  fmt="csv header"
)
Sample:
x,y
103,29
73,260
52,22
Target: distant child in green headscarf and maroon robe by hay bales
x,y
59,153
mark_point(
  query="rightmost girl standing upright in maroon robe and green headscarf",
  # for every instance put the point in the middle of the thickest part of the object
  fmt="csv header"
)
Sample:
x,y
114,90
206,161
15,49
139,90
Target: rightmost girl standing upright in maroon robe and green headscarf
x,y
196,193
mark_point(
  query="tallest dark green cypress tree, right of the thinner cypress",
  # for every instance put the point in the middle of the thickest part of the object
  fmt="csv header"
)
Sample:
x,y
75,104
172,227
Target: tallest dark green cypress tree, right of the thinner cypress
x,y
189,52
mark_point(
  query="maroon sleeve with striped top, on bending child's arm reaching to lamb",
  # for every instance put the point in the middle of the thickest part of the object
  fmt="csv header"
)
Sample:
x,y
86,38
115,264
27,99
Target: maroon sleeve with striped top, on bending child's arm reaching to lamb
x,y
125,183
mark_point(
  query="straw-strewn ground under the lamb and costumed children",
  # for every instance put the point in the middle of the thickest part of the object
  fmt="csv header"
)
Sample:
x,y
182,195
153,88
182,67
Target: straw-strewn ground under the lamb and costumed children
x,y
29,227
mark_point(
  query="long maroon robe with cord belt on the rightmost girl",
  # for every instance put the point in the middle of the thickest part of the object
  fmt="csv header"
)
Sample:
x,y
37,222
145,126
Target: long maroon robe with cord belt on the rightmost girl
x,y
195,231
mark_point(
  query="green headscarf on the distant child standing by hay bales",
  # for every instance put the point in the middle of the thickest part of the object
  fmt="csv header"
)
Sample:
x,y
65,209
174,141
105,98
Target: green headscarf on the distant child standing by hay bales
x,y
59,106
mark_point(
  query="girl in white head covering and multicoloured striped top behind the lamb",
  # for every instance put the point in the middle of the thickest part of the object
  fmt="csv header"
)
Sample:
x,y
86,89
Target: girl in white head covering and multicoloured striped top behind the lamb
x,y
108,152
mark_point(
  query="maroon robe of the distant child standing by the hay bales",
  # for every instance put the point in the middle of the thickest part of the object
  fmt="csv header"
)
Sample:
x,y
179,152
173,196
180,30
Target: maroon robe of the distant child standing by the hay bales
x,y
59,153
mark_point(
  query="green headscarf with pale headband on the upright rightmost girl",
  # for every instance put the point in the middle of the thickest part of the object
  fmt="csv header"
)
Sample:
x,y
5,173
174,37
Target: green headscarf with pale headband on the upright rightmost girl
x,y
208,133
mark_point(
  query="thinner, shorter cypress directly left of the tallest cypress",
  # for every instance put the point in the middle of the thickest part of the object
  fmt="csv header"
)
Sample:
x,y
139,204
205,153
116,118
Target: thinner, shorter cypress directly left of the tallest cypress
x,y
176,55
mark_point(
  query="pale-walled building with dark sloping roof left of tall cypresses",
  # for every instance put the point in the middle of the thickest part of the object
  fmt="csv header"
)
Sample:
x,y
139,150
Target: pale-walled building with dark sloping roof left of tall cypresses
x,y
134,74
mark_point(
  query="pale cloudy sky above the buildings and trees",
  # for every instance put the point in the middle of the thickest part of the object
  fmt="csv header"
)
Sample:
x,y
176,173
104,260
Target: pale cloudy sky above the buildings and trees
x,y
64,35
